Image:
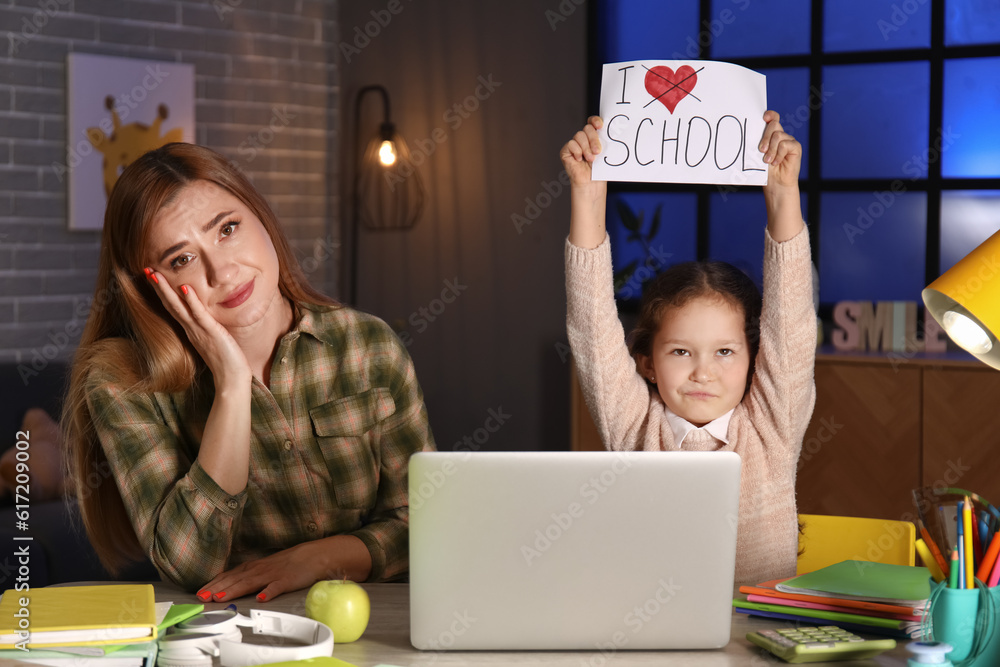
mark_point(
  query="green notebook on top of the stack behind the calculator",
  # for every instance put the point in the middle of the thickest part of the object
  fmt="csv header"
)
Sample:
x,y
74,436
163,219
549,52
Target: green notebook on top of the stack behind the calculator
x,y
862,580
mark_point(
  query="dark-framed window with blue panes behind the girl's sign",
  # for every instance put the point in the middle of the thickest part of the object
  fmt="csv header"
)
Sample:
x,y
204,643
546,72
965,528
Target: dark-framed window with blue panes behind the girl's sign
x,y
895,104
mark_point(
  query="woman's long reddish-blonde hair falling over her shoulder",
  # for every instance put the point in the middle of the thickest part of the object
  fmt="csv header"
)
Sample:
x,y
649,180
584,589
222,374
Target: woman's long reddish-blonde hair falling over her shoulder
x,y
130,334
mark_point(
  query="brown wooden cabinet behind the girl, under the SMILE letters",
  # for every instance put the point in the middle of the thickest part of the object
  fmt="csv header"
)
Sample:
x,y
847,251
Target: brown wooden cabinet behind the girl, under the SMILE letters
x,y
882,427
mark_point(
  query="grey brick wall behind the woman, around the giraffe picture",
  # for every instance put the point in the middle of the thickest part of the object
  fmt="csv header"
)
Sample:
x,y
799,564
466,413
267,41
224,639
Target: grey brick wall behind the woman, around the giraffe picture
x,y
259,64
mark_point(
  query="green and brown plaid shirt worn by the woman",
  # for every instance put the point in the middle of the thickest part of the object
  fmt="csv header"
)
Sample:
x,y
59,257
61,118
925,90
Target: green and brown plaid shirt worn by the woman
x,y
329,446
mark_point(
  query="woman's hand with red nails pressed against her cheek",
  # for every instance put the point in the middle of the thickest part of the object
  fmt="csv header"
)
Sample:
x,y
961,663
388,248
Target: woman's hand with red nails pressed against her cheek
x,y
214,343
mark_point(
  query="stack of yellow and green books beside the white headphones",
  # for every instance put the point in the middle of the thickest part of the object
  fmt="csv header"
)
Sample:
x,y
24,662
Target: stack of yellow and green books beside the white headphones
x,y
114,624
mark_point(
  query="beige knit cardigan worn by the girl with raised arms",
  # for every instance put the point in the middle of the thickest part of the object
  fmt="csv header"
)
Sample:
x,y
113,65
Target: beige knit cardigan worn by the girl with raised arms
x,y
766,428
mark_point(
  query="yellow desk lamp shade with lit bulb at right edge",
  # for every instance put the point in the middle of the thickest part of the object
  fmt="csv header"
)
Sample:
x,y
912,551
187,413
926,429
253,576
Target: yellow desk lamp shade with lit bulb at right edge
x,y
965,301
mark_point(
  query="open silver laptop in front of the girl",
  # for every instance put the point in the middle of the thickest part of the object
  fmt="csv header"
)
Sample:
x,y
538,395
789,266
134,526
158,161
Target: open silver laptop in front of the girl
x,y
572,550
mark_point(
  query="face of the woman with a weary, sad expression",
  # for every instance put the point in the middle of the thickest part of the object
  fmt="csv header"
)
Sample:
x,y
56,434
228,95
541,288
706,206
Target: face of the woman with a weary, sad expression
x,y
209,240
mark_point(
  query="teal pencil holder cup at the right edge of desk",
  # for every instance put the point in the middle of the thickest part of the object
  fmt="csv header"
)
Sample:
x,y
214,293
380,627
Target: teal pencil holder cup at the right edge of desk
x,y
967,619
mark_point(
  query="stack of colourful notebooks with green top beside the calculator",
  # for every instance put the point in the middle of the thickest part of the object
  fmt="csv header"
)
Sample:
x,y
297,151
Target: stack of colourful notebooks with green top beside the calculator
x,y
860,596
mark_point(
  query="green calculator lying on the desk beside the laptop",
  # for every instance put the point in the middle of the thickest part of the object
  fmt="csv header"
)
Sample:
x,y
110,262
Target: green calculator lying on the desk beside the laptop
x,y
818,644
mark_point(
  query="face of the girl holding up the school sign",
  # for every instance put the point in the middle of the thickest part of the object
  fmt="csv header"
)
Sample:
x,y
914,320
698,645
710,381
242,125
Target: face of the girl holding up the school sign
x,y
700,358
